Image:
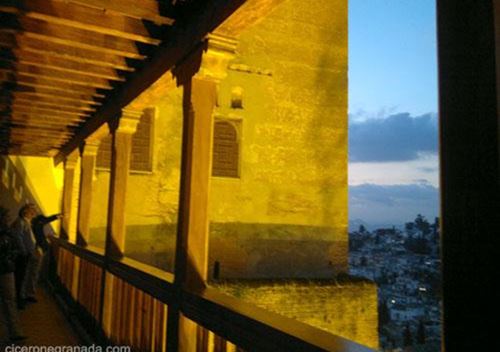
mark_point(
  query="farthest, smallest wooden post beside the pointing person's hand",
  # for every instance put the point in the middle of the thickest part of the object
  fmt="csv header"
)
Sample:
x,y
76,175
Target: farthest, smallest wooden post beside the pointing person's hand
x,y
68,198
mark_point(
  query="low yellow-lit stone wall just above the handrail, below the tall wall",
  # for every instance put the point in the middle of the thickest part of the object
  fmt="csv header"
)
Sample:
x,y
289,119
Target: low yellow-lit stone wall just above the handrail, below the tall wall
x,y
347,308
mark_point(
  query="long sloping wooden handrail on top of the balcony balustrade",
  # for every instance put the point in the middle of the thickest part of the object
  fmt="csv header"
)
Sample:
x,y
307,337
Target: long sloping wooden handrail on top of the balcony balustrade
x,y
240,322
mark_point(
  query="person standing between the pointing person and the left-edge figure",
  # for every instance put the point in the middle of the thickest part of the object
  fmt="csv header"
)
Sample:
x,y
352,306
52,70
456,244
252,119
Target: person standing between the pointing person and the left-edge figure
x,y
27,266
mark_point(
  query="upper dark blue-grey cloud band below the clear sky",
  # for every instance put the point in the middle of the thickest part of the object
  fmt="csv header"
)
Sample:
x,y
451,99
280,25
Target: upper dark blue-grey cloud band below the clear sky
x,y
399,137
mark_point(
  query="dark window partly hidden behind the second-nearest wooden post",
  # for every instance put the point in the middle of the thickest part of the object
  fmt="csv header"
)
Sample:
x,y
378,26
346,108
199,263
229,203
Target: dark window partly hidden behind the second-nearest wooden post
x,y
141,158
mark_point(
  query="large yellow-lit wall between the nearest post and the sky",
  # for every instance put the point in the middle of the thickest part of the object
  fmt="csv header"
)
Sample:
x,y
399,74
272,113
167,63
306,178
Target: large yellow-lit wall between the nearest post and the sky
x,y
286,215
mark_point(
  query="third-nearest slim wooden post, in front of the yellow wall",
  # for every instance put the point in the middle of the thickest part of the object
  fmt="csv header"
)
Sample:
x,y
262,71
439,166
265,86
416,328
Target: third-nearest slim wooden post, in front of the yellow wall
x,y
88,162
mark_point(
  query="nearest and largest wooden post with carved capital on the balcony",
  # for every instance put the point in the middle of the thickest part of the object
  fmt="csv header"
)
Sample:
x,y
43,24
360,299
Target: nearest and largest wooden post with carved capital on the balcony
x,y
199,101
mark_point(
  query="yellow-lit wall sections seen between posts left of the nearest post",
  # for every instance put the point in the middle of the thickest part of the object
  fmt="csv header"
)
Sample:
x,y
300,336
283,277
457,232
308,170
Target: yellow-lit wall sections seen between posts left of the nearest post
x,y
152,197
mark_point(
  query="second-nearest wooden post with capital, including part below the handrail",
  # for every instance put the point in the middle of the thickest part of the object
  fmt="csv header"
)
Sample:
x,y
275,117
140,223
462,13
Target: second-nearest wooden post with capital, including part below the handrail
x,y
122,133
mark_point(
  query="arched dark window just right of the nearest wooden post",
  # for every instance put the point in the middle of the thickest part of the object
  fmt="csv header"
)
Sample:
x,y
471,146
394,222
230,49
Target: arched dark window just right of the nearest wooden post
x,y
226,150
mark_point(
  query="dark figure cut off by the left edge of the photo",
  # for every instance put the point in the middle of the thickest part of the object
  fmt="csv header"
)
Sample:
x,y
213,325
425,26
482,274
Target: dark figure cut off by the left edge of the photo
x,y
8,254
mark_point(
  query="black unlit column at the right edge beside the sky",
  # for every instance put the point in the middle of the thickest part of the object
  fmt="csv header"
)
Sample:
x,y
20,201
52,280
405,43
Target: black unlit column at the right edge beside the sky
x,y
469,124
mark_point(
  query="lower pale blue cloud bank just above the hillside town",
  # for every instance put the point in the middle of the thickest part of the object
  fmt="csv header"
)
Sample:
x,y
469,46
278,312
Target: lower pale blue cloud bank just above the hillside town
x,y
392,204
